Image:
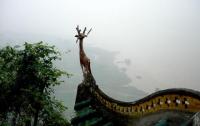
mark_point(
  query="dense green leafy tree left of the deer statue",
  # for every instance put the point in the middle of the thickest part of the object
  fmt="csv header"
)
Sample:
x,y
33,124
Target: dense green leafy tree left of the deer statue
x,y
27,78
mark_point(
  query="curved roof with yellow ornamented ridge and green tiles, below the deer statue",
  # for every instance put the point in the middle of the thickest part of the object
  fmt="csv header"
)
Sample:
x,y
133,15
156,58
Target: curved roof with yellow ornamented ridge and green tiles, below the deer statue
x,y
171,107
